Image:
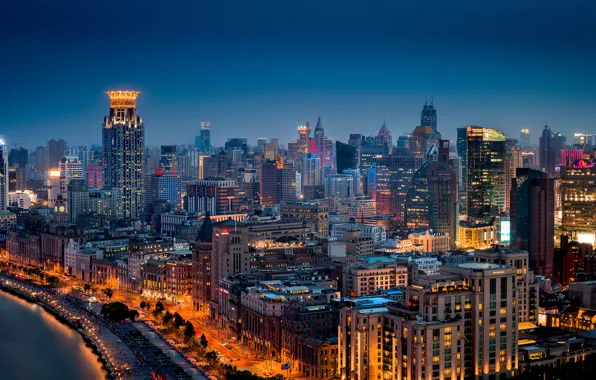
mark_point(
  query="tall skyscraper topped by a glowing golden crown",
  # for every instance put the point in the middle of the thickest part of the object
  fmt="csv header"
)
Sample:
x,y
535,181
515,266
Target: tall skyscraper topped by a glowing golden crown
x,y
124,151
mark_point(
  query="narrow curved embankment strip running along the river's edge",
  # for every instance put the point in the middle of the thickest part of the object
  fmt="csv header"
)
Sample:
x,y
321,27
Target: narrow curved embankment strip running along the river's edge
x,y
58,317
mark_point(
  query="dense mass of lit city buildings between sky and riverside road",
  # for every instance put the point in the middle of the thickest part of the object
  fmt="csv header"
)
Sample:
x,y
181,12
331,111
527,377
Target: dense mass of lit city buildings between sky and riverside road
x,y
379,257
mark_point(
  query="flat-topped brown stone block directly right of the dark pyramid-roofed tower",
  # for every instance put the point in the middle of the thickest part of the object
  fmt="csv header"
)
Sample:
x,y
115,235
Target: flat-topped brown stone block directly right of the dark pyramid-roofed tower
x,y
229,255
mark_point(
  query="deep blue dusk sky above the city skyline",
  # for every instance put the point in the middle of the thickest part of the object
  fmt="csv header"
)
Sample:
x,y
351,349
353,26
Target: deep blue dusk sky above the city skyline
x,y
261,68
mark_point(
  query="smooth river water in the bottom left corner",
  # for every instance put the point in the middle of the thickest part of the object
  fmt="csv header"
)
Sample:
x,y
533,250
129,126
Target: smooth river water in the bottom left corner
x,y
33,345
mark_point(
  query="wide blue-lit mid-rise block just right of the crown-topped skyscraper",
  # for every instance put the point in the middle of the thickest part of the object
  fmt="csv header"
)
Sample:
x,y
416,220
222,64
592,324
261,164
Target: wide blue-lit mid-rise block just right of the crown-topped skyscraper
x,y
163,185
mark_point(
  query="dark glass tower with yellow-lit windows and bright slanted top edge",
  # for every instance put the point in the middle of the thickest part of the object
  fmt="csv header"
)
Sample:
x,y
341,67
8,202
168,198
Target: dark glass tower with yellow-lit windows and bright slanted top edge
x,y
485,172
